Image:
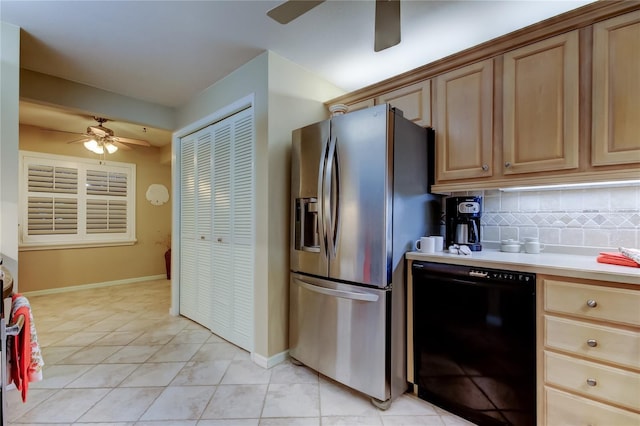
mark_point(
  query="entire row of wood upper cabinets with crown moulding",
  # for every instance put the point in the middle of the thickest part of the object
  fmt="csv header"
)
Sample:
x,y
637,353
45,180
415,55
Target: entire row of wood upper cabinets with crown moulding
x,y
558,103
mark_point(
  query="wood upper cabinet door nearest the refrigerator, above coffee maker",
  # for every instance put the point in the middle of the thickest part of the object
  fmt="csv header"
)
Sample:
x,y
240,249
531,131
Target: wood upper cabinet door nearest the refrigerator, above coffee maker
x,y
464,122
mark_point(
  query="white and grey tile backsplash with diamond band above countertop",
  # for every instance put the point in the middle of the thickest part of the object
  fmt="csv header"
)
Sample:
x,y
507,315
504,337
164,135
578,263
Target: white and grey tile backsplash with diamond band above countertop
x,y
601,218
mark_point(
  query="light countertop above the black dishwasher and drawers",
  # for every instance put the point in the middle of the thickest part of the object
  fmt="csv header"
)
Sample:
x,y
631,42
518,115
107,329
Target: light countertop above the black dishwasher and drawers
x,y
568,265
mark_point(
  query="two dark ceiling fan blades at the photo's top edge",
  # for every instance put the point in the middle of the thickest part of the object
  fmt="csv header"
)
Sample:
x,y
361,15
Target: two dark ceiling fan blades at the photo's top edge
x,y
387,25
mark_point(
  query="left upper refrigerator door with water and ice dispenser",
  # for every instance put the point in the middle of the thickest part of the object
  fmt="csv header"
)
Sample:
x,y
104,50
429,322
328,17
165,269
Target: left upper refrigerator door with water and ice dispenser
x,y
308,245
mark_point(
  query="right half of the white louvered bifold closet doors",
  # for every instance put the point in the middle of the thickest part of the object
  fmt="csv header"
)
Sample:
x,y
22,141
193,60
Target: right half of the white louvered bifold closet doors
x,y
233,229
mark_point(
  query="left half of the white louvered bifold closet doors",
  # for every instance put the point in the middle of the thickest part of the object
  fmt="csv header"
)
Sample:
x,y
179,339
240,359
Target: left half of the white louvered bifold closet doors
x,y
195,227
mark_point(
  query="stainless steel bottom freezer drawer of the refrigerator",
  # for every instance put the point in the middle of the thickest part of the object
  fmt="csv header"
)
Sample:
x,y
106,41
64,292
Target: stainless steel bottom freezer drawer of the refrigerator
x,y
340,331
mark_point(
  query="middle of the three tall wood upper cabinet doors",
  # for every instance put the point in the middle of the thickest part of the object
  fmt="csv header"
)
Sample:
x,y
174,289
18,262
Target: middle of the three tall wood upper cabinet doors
x,y
541,104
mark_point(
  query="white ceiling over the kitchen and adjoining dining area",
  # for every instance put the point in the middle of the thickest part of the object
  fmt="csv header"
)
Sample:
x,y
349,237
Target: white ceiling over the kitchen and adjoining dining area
x,y
165,52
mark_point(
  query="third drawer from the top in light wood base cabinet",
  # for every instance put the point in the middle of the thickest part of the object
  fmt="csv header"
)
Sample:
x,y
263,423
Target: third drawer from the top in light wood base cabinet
x,y
609,384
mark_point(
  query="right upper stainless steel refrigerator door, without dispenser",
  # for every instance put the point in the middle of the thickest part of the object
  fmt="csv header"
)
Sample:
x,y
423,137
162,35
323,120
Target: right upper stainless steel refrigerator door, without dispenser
x,y
362,197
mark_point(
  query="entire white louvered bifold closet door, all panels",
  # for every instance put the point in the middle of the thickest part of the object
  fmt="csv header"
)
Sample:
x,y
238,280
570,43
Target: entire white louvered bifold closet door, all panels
x,y
217,236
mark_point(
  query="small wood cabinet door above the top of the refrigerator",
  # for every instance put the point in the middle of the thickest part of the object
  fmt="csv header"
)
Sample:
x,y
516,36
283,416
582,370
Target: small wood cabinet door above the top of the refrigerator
x,y
414,101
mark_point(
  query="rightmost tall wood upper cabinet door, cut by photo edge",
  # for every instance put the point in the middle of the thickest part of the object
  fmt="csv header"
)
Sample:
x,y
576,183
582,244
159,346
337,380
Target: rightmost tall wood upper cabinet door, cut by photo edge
x,y
616,90
